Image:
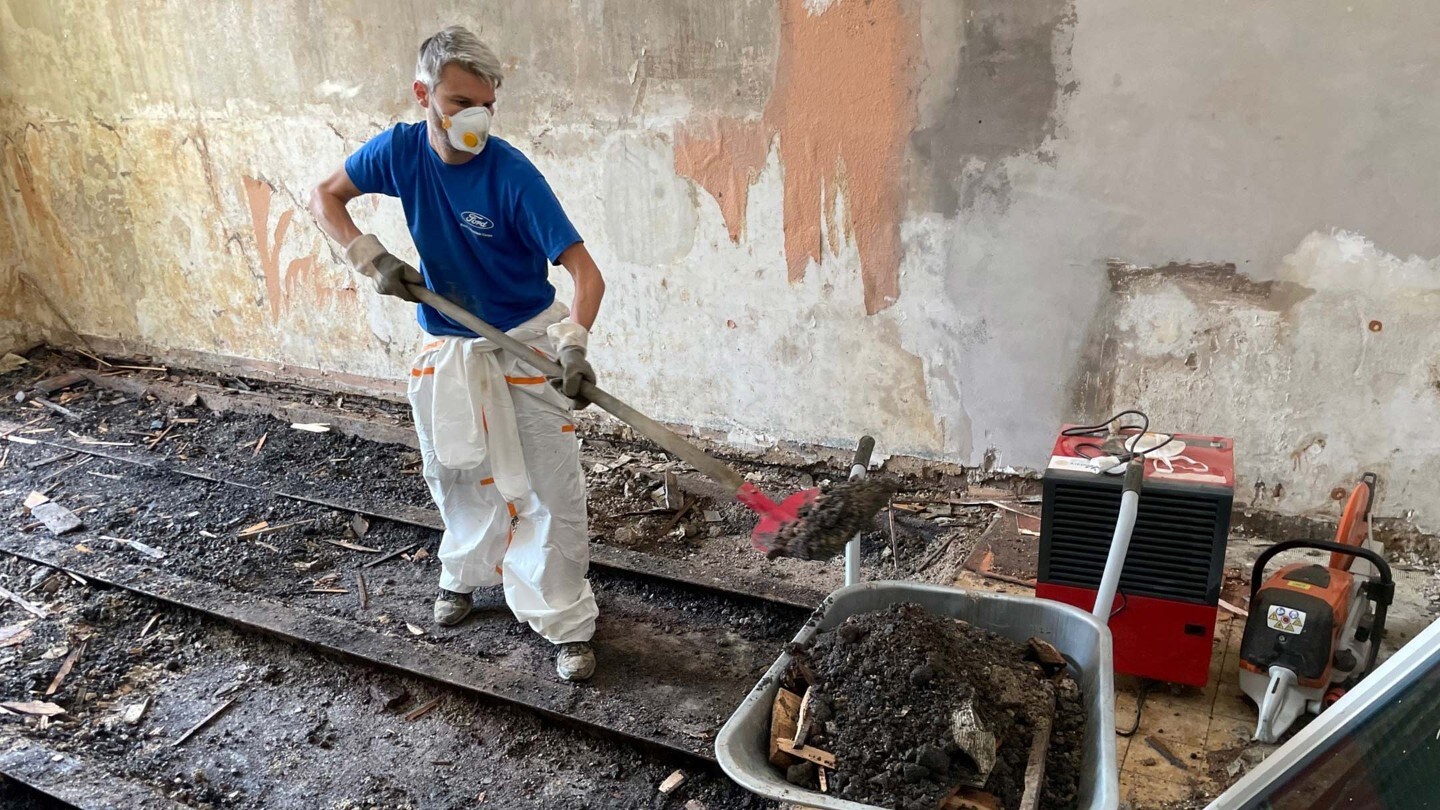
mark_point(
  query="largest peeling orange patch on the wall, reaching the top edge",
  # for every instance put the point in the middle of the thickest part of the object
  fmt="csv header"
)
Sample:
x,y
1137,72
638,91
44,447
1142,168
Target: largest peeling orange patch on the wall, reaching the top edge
x,y
843,109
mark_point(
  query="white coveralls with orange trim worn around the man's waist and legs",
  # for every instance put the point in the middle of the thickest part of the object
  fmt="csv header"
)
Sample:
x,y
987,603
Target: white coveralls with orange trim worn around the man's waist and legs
x,y
503,463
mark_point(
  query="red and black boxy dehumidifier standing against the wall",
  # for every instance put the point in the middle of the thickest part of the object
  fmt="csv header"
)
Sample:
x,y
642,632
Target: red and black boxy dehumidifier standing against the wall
x,y
1164,613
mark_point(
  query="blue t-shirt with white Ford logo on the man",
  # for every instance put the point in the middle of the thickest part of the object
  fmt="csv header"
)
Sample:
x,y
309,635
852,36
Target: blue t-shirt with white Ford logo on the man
x,y
485,230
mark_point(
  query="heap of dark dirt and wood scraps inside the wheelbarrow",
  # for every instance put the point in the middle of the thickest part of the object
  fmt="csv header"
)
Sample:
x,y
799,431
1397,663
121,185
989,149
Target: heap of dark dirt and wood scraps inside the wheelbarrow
x,y
914,707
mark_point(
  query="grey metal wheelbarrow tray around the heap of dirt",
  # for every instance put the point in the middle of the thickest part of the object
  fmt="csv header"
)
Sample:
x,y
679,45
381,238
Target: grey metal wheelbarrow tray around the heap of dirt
x,y
742,746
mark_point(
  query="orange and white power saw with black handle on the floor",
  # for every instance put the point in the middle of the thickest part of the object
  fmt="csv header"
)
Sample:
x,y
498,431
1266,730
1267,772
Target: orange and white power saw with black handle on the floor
x,y
1314,631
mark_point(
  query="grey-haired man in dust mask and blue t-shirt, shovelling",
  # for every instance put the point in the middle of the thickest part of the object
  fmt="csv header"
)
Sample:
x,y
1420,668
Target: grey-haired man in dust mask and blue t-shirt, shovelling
x,y
499,445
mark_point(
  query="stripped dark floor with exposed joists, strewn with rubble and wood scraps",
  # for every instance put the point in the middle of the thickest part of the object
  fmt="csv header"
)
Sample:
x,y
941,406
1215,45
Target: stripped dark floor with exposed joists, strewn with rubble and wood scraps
x,y
233,518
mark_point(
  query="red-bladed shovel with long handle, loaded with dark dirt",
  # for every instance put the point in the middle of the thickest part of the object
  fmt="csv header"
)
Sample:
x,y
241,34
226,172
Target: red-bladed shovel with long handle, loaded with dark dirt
x,y
807,525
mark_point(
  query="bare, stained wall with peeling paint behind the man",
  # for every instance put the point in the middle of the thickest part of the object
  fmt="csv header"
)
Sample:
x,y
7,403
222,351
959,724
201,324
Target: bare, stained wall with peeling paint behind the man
x,y
955,224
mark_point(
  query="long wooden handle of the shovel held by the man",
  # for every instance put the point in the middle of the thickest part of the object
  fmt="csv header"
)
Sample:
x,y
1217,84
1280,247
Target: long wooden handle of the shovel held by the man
x,y
667,439
